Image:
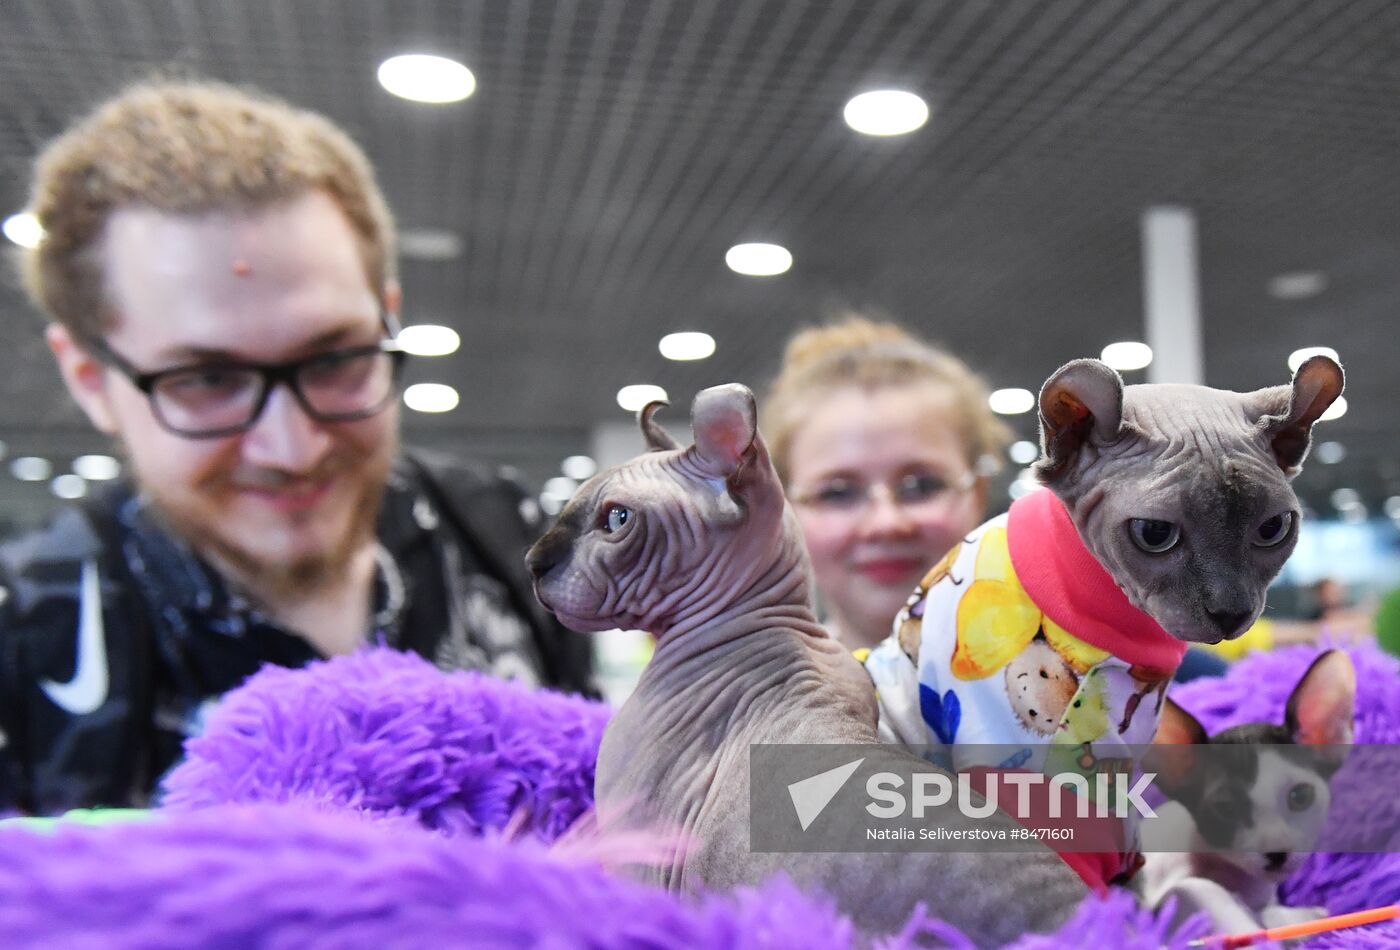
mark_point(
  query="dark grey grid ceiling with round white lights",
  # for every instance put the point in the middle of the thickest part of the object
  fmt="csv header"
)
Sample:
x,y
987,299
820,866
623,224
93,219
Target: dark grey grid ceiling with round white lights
x,y
615,150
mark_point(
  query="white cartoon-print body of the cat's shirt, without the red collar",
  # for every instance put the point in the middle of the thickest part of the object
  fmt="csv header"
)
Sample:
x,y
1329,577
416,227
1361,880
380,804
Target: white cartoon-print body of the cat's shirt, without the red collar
x,y
975,661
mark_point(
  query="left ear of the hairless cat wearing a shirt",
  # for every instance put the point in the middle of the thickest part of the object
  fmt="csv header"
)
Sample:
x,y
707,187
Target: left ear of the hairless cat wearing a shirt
x,y
1081,402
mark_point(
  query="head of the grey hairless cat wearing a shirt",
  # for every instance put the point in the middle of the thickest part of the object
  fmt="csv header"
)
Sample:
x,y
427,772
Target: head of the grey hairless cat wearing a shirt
x,y
1184,492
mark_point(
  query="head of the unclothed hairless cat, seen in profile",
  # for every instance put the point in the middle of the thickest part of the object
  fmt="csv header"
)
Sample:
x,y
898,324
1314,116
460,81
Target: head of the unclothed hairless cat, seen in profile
x,y
673,537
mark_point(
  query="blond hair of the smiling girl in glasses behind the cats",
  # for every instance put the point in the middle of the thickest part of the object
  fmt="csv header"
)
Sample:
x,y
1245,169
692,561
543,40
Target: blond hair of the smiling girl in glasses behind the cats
x,y
870,355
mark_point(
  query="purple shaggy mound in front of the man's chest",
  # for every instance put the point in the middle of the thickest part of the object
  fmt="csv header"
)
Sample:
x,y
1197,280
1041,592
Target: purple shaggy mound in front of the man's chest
x,y
387,734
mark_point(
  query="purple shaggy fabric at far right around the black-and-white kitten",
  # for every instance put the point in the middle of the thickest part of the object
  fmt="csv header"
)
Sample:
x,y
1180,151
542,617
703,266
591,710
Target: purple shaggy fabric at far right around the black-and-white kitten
x,y
1255,690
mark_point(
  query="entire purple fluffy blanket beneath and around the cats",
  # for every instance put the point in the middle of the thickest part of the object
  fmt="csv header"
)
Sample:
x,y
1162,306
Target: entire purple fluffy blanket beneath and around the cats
x,y
374,802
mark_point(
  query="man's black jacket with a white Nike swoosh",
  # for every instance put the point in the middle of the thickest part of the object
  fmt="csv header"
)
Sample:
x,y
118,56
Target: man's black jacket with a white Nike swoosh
x,y
115,640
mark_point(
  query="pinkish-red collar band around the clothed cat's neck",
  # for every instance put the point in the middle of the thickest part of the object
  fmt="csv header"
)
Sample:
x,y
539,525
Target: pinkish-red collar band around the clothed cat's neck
x,y
1070,587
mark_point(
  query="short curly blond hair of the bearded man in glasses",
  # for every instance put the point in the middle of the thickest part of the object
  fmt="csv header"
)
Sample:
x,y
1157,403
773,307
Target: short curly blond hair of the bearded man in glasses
x,y
185,149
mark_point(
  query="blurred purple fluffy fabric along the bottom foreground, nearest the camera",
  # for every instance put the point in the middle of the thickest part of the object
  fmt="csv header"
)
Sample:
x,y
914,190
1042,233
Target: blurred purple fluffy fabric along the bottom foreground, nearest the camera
x,y
283,877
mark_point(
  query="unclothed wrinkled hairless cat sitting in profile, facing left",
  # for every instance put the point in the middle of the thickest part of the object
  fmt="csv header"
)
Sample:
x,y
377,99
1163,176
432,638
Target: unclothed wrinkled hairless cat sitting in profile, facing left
x,y
699,548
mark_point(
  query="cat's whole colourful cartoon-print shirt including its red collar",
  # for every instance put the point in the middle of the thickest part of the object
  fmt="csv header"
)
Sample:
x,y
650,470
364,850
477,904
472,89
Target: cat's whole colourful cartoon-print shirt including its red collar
x,y
1018,651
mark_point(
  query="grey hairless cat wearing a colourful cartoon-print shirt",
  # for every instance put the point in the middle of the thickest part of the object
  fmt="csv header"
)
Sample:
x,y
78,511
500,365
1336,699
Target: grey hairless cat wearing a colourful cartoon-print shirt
x,y
1168,514
